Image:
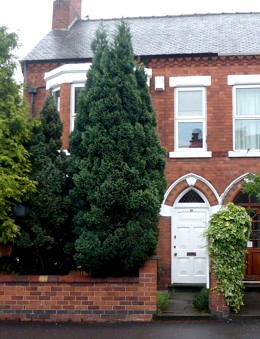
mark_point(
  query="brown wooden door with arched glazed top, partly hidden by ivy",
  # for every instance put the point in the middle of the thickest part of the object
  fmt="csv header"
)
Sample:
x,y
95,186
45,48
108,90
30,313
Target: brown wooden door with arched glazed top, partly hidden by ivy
x,y
252,205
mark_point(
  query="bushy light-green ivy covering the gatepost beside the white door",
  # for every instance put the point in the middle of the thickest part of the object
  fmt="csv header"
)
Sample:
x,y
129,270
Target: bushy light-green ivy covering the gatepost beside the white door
x,y
228,234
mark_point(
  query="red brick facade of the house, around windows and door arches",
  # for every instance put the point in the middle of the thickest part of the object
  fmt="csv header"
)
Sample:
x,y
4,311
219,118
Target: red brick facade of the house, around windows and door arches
x,y
219,170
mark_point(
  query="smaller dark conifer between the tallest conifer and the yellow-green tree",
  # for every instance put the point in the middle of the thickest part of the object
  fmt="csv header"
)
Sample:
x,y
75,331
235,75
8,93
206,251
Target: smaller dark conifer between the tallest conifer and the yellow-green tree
x,y
45,229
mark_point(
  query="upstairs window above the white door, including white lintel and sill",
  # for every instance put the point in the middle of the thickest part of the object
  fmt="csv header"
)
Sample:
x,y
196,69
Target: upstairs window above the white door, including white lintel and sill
x,y
190,116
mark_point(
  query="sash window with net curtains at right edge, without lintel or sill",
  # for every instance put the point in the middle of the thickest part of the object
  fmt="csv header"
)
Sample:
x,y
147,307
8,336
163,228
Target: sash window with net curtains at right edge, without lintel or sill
x,y
246,118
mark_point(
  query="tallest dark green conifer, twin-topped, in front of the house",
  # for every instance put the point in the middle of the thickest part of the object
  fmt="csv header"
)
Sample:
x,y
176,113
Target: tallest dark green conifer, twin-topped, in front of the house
x,y
118,163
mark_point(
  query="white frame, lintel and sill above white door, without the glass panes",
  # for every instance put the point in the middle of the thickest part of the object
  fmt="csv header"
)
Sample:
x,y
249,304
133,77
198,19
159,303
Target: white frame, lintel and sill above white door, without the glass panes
x,y
190,83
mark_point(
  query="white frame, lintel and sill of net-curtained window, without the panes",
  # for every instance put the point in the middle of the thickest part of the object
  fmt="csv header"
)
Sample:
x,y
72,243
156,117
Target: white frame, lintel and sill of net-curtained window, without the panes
x,y
242,81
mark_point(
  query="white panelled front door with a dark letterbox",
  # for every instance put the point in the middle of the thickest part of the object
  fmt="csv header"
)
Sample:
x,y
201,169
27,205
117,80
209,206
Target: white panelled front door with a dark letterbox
x,y
189,246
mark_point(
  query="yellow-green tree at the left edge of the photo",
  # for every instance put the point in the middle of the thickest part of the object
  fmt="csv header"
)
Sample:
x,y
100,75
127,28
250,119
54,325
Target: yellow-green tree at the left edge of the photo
x,y
15,128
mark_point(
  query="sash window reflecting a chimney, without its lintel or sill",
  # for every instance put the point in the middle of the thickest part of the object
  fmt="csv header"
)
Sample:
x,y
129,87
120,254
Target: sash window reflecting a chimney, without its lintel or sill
x,y
190,122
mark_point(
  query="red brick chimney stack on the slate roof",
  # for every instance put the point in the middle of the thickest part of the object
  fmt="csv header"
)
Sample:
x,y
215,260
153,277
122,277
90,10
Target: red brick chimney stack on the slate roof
x,y
65,12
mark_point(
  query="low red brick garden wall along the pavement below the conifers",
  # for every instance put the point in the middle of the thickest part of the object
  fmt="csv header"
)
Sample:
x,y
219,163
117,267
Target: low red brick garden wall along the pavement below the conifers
x,y
79,298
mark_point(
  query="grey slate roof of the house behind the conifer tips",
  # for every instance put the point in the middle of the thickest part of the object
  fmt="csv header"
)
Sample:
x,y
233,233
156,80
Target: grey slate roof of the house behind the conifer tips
x,y
223,34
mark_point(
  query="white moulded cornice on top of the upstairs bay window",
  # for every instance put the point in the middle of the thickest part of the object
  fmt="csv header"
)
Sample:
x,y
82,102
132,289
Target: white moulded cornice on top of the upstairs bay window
x,y
68,73
